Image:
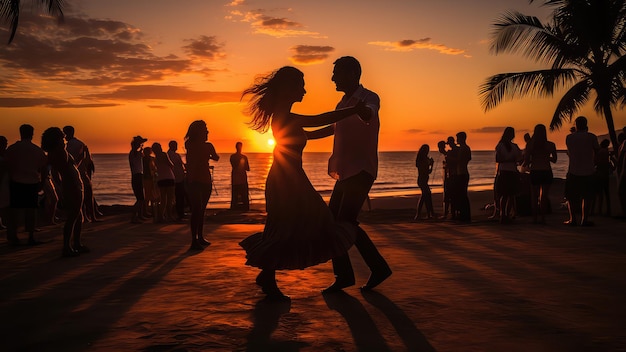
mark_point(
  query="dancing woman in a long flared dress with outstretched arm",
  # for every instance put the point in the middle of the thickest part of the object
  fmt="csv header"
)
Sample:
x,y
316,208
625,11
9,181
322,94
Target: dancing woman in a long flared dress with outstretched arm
x,y
299,231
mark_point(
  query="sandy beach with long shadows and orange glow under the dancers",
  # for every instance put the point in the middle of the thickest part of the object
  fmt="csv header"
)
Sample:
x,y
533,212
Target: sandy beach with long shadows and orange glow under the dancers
x,y
456,287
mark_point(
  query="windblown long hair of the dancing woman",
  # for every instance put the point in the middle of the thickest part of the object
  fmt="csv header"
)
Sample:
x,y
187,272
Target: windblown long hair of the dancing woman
x,y
266,92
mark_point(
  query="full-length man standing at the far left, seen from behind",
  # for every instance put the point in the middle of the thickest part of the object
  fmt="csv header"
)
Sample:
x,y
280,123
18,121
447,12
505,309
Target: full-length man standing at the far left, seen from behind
x,y
26,163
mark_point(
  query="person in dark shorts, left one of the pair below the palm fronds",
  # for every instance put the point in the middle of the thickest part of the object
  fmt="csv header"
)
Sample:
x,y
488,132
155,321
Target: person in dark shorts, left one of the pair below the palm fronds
x,y
508,156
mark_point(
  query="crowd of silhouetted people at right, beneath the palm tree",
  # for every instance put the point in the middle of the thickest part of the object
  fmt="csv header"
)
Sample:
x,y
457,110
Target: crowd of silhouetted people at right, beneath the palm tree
x,y
524,175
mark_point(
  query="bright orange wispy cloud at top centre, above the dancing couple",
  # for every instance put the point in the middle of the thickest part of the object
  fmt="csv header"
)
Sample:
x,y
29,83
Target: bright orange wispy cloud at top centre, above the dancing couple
x,y
279,27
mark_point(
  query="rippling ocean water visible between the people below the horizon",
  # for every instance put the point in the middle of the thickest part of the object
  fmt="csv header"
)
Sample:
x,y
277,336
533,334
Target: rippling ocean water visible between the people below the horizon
x,y
397,175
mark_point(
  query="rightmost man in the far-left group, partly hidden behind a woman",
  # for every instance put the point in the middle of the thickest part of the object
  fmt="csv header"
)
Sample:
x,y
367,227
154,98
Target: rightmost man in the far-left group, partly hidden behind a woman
x,y
78,150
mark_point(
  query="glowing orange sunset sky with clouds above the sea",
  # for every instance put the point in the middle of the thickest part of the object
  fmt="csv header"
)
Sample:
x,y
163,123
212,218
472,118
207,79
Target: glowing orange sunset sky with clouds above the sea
x,y
118,68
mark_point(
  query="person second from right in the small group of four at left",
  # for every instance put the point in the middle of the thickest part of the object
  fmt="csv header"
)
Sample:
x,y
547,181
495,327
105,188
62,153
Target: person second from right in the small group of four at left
x,y
165,182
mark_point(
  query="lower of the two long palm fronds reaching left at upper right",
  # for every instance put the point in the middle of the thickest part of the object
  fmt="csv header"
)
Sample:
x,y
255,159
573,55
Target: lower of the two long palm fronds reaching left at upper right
x,y
509,86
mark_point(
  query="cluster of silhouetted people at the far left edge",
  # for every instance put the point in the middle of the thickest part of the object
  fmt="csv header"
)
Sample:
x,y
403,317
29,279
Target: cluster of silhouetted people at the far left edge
x,y
55,177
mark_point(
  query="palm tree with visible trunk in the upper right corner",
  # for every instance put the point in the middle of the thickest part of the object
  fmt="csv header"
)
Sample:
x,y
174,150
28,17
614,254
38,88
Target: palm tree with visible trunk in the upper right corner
x,y
583,42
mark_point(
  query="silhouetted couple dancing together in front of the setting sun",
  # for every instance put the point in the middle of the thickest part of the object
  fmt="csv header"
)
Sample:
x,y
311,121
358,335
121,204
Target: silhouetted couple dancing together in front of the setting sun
x,y
301,230
